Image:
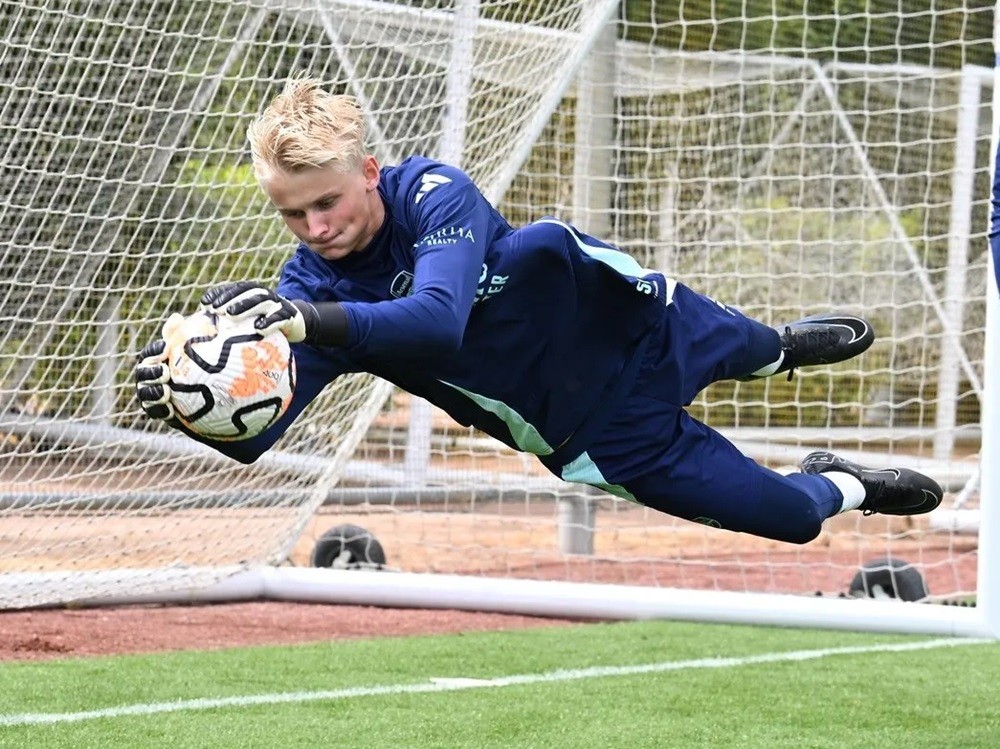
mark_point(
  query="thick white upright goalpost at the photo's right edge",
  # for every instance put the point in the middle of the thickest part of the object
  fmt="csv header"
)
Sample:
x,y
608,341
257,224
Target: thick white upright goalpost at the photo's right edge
x,y
988,578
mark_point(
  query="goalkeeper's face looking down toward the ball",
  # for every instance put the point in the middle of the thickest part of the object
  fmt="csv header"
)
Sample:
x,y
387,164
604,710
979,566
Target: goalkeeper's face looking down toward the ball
x,y
334,212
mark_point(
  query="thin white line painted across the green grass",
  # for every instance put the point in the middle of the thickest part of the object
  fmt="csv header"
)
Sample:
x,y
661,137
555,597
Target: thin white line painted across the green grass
x,y
449,684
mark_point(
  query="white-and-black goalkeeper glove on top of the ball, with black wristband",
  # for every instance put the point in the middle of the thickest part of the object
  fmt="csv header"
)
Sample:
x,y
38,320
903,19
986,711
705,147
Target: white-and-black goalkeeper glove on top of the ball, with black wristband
x,y
321,324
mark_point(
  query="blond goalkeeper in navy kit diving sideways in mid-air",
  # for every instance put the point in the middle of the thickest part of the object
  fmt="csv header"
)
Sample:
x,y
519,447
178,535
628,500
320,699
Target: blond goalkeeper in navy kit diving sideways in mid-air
x,y
552,341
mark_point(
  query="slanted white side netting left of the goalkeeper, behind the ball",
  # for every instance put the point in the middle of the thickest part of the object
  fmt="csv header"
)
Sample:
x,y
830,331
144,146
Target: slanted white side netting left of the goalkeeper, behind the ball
x,y
127,191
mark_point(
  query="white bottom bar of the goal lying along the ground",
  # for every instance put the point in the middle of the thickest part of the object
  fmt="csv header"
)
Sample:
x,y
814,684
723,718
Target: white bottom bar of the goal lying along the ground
x,y
530,598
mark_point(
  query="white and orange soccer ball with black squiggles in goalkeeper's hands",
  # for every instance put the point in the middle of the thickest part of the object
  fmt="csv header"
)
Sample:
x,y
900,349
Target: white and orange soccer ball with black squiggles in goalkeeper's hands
x,y
228,382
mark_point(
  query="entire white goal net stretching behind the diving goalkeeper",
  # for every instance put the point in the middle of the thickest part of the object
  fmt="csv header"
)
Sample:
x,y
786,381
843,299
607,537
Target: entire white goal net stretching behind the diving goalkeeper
x,y
779,164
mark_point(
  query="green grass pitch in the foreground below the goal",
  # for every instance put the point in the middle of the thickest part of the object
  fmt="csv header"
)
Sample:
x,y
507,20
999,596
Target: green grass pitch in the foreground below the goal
x,y
940,697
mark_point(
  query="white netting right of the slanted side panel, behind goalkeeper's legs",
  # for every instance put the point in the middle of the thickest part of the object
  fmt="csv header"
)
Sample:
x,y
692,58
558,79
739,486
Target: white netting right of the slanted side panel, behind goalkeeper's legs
x,y
785,183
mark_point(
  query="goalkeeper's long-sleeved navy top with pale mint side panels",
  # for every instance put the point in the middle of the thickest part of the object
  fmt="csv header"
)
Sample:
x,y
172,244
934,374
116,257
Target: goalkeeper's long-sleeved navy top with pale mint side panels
x,y
528,334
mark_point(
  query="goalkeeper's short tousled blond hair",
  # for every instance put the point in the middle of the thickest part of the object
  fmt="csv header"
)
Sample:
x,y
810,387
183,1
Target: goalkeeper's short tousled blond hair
x,y
305,127
